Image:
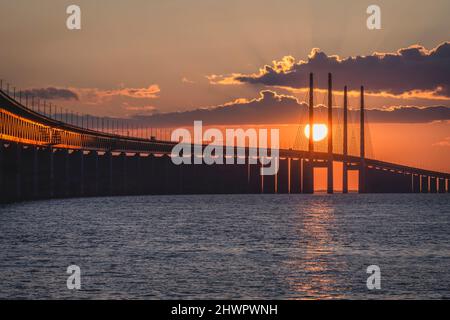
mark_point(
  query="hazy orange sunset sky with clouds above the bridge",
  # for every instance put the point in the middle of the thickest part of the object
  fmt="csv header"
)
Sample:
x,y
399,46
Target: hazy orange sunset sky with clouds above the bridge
x,y
142,59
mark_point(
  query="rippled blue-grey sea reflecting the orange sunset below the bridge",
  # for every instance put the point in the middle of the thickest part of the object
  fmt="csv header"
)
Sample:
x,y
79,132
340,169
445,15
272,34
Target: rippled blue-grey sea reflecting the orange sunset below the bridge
x,y
252,246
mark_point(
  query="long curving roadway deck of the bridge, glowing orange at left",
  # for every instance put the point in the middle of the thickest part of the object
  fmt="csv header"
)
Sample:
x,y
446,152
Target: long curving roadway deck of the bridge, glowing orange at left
x,y
23,125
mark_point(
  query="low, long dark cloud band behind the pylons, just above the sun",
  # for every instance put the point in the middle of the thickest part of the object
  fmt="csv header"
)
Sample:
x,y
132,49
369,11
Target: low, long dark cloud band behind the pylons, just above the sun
x,y
271,108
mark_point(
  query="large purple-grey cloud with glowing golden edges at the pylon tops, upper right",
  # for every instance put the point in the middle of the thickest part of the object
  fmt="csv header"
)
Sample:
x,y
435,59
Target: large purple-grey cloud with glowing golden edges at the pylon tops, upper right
x,y
413,70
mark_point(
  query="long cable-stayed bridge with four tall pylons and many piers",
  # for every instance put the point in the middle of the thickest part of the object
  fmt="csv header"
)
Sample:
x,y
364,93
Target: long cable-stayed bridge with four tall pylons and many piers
x,y
44,157
